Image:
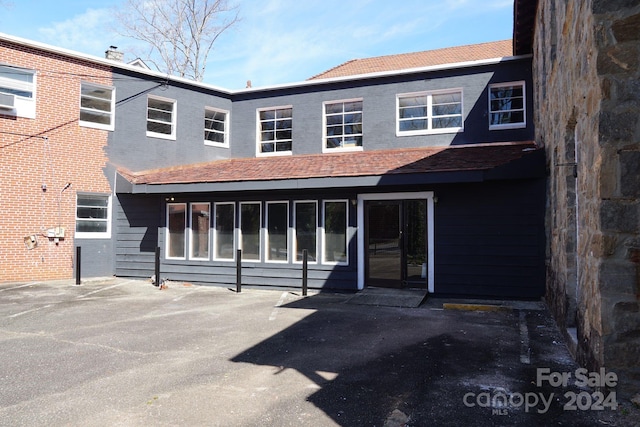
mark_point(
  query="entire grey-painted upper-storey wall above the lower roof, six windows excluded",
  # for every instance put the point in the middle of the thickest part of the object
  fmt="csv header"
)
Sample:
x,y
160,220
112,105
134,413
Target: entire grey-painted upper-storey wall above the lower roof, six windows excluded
x,y
130,147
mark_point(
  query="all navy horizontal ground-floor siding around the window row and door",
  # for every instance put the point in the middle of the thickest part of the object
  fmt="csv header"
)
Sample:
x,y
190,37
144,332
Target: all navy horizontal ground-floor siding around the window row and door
x,y
489,242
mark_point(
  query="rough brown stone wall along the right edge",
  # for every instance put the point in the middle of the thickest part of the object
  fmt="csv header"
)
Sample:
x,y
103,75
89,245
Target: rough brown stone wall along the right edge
x,y
587,98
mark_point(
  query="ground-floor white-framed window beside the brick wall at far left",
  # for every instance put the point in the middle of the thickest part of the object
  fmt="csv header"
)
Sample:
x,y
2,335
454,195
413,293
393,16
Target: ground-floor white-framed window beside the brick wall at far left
x,y
93,216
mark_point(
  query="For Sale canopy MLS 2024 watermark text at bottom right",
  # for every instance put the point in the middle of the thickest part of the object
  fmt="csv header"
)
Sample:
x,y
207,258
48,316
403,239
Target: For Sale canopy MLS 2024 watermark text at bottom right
x,y
501,401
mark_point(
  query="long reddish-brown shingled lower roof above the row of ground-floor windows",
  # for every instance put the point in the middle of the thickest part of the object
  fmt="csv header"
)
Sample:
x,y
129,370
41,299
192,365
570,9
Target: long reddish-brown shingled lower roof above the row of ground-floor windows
x,y
363,163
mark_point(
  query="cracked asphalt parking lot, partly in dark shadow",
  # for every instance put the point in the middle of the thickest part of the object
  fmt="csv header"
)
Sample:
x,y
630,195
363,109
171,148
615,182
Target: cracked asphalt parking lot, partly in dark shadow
x,y
120,352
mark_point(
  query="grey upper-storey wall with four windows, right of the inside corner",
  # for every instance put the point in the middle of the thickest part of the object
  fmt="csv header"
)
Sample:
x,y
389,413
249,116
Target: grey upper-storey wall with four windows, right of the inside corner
x,y
379,109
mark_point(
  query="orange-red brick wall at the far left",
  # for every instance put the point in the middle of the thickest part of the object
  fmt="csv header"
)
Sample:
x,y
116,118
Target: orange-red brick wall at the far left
x,y
51,149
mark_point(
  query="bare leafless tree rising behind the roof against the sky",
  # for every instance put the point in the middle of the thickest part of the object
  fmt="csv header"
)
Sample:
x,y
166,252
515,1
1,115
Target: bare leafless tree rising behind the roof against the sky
x,y
179,33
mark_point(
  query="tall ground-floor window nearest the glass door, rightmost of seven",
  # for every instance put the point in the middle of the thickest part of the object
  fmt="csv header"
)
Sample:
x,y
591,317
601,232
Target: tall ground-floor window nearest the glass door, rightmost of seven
x,y
334,232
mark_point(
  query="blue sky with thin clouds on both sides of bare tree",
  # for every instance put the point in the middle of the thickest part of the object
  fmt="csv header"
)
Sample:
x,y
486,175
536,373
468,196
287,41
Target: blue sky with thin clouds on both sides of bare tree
x,y
279,41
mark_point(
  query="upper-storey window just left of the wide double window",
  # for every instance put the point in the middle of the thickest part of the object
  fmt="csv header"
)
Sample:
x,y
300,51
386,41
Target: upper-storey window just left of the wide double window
x,y
343,125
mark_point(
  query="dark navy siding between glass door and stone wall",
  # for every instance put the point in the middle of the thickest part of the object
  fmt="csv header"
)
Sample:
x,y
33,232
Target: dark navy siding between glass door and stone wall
x,y
489,239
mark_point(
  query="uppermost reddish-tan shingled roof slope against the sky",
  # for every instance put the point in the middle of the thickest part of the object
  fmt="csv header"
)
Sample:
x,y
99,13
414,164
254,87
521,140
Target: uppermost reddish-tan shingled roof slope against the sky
x,y
449,55
